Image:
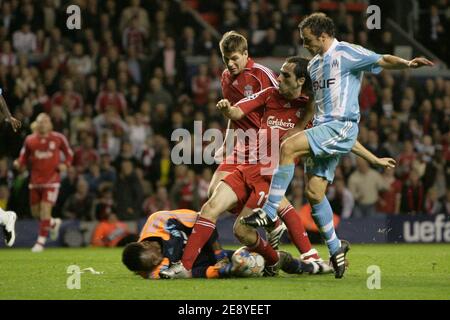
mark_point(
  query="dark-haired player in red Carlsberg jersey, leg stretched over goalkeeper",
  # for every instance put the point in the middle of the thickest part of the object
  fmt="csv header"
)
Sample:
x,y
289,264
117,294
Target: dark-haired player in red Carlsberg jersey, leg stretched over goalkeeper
x,y
283,110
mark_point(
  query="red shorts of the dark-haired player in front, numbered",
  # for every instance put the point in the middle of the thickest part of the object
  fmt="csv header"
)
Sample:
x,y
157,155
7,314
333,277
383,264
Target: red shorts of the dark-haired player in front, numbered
x,y
250,187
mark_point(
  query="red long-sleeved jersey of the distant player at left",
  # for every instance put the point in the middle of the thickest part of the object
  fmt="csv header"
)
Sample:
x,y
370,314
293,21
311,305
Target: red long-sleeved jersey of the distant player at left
x,y
42,155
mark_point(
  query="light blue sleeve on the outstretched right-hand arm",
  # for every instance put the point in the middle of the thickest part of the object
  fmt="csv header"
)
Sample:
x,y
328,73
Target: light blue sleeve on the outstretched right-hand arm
x,y
361,59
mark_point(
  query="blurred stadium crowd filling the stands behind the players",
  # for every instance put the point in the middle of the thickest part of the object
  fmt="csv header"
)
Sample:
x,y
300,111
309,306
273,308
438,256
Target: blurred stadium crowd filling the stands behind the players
x,y
118,87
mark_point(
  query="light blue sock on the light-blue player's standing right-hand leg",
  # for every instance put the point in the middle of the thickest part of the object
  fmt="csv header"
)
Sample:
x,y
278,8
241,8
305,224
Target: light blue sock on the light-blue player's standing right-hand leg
x,y
323,217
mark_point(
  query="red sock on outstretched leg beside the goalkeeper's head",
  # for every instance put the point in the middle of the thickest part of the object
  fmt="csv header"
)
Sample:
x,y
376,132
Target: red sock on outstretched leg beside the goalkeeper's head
x,y
201,233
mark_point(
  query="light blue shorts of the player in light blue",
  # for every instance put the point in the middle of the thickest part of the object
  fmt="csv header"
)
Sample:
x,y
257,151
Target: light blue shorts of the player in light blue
x,y
328,142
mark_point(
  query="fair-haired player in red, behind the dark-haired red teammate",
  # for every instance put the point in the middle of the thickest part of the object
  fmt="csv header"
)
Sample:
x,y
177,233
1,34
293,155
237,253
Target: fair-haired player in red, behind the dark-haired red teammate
x,y
242,78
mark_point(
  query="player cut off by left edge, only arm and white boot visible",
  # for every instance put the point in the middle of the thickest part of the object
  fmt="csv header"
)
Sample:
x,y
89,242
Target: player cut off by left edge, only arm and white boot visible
x,y
8,218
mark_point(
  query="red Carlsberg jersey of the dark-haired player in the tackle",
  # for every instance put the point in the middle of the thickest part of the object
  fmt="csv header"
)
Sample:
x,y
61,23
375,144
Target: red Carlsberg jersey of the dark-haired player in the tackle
x,y
279,116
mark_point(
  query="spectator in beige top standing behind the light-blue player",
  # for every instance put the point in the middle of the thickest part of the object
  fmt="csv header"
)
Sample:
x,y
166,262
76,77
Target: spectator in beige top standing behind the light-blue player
x,y
365,184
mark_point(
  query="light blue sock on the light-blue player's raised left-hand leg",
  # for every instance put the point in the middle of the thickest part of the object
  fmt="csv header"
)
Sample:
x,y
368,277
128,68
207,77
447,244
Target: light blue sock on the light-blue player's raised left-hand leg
x,y
280,182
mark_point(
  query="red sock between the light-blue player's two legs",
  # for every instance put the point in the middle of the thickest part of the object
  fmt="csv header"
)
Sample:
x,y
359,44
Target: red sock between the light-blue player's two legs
x,y
297,232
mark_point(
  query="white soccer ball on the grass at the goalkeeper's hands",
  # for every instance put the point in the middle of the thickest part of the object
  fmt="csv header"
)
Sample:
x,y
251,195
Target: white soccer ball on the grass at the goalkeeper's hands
x,y
247,264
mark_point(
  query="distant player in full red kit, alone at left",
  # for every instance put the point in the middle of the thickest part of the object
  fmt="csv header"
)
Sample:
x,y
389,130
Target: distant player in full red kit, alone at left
x,y
41,153
